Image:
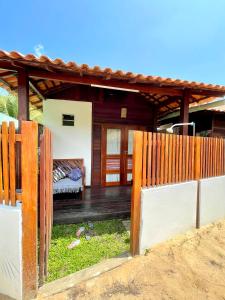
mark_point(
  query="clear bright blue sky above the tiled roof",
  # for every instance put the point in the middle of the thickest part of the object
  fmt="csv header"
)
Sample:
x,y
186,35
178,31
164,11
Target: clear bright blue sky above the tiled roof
x,y
171,38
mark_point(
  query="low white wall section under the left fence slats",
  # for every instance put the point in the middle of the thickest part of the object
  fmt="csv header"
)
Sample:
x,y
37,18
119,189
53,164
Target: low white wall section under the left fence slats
x,y
11,251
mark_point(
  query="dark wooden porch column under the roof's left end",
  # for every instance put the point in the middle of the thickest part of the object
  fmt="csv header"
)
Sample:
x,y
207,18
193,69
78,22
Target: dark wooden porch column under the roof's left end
x,y
23,95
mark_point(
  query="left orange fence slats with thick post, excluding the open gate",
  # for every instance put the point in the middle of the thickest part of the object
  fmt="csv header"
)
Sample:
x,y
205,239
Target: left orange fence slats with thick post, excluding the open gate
x,y
18,183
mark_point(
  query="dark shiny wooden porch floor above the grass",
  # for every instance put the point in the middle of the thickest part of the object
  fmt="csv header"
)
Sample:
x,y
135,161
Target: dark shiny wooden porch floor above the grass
x,y
98,204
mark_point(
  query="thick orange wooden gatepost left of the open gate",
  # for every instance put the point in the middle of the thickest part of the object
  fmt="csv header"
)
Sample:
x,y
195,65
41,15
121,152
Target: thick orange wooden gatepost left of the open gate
x,y
29,172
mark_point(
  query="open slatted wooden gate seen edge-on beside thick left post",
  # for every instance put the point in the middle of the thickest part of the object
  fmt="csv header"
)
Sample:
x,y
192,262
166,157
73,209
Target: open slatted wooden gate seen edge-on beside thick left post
x,y
46,202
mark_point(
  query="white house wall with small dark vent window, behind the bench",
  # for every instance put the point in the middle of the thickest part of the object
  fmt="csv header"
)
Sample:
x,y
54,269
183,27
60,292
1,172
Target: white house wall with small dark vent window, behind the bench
x,y
68,141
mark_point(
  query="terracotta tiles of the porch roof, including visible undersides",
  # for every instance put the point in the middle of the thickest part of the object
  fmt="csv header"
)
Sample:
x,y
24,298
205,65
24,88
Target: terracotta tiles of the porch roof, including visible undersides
x,y
58,64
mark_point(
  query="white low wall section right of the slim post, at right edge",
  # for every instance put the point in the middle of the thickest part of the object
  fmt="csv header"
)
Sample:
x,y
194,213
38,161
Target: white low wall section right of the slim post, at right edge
x,y
212,199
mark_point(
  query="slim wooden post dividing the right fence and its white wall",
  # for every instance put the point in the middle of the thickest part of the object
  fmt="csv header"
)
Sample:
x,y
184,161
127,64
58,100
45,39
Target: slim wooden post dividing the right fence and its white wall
x,y
198,176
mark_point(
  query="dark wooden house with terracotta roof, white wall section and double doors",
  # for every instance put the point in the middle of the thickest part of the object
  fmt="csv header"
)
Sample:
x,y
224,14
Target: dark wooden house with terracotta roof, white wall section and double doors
x,y
92,112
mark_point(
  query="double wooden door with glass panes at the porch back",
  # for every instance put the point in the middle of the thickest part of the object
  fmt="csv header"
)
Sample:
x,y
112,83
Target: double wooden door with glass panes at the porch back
x,y
117,152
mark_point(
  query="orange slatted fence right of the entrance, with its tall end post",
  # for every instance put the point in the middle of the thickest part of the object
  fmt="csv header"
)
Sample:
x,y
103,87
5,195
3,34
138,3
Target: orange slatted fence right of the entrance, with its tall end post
x,y
161,159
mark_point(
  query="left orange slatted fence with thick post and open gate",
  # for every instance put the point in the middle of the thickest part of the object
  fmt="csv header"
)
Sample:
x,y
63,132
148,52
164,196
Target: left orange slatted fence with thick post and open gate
x,y
19,183
